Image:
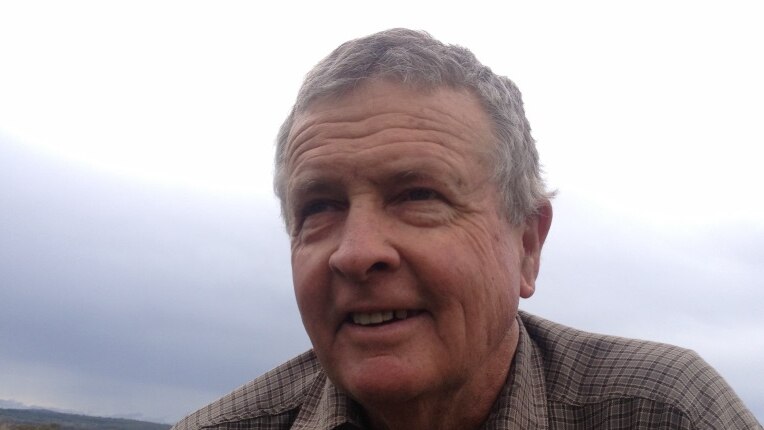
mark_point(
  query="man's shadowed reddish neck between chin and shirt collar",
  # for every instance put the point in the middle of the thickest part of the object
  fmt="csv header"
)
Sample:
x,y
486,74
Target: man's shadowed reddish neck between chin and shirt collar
x,y
465,407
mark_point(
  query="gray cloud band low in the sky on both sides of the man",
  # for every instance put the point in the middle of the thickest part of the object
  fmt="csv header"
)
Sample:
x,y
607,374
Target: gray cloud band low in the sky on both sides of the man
x,y
125,299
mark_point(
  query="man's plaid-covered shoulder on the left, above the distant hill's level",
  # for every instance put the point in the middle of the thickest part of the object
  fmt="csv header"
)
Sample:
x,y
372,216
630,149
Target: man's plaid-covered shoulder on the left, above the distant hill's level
x,y
276,395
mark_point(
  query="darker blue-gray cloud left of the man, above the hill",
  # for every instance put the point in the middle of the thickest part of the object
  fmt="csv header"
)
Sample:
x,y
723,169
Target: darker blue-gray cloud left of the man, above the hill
x,y
110,284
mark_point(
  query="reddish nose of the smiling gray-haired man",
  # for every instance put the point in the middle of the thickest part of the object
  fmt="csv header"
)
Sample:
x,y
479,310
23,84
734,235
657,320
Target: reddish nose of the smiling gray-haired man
x,y
365,247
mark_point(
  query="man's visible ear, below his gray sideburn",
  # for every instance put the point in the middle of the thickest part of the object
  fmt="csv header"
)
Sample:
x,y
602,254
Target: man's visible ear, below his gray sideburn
x,y
535,230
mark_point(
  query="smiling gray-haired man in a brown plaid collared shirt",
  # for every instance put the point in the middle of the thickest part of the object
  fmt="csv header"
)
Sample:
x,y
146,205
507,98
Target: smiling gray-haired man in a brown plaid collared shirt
x,y
411,191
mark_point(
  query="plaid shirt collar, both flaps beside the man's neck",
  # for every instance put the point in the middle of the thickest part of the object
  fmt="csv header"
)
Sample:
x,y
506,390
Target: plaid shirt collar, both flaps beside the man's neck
x,y
521,403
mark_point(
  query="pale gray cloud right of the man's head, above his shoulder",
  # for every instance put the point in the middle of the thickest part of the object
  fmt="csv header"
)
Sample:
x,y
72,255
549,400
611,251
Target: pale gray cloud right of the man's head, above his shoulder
x,y
700,288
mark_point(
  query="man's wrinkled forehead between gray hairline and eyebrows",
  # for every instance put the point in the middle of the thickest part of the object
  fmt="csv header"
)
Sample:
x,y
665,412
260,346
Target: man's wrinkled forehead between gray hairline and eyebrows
x,y
380,112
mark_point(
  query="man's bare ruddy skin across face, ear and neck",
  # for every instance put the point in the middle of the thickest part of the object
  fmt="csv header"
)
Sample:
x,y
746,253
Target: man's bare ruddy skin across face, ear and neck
x,y
392,207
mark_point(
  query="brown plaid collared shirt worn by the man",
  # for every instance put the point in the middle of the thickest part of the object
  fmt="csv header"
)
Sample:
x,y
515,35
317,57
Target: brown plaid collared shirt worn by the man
x,y
561,378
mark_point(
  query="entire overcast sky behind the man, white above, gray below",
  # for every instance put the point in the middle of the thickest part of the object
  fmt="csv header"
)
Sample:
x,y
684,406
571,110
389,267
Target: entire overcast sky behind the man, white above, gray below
x,y
143,267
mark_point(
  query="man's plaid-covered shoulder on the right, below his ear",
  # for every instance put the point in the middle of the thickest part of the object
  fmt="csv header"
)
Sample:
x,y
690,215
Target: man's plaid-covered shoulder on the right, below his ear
x,y
584,369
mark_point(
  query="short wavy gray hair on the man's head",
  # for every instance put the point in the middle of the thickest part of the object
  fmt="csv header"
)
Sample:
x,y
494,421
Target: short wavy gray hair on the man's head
x,y
416,59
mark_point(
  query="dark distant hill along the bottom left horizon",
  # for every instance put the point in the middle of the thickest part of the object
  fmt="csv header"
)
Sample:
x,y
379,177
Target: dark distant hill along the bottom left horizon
x,y
32,419
